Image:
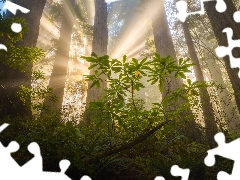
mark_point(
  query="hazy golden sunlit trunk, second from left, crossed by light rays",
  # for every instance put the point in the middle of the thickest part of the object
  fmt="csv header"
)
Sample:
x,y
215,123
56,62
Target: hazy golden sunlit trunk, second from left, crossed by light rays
x,y
60,67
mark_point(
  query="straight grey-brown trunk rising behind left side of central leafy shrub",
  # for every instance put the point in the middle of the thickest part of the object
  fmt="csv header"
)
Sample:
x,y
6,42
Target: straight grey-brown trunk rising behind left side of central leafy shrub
x,y
99,47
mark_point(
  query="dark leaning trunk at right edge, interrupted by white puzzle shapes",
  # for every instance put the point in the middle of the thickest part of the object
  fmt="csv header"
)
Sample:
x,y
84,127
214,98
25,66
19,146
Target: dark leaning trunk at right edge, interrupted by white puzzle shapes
x,y
219,21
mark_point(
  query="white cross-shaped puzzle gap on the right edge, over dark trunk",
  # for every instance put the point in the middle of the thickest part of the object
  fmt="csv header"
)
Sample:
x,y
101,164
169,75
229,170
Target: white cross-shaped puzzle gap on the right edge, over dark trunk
x,y
222,51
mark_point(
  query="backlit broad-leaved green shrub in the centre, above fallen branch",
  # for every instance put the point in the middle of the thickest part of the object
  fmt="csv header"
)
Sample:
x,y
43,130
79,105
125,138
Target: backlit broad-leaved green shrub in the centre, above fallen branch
x,y
122,105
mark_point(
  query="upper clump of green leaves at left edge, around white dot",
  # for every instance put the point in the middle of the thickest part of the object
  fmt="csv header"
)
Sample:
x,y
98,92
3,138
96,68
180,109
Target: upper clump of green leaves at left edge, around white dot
x,y
17,57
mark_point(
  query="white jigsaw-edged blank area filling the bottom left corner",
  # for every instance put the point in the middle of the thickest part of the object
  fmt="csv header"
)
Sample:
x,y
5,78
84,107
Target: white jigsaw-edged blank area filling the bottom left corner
x,y
33,169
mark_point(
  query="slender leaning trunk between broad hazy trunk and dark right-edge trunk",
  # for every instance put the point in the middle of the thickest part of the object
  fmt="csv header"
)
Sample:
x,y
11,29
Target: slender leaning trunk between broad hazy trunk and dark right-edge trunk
x,y
208,112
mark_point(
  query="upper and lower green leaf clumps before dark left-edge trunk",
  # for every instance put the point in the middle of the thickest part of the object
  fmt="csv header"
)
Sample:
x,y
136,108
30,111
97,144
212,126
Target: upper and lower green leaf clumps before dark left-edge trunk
x,y
22,58
